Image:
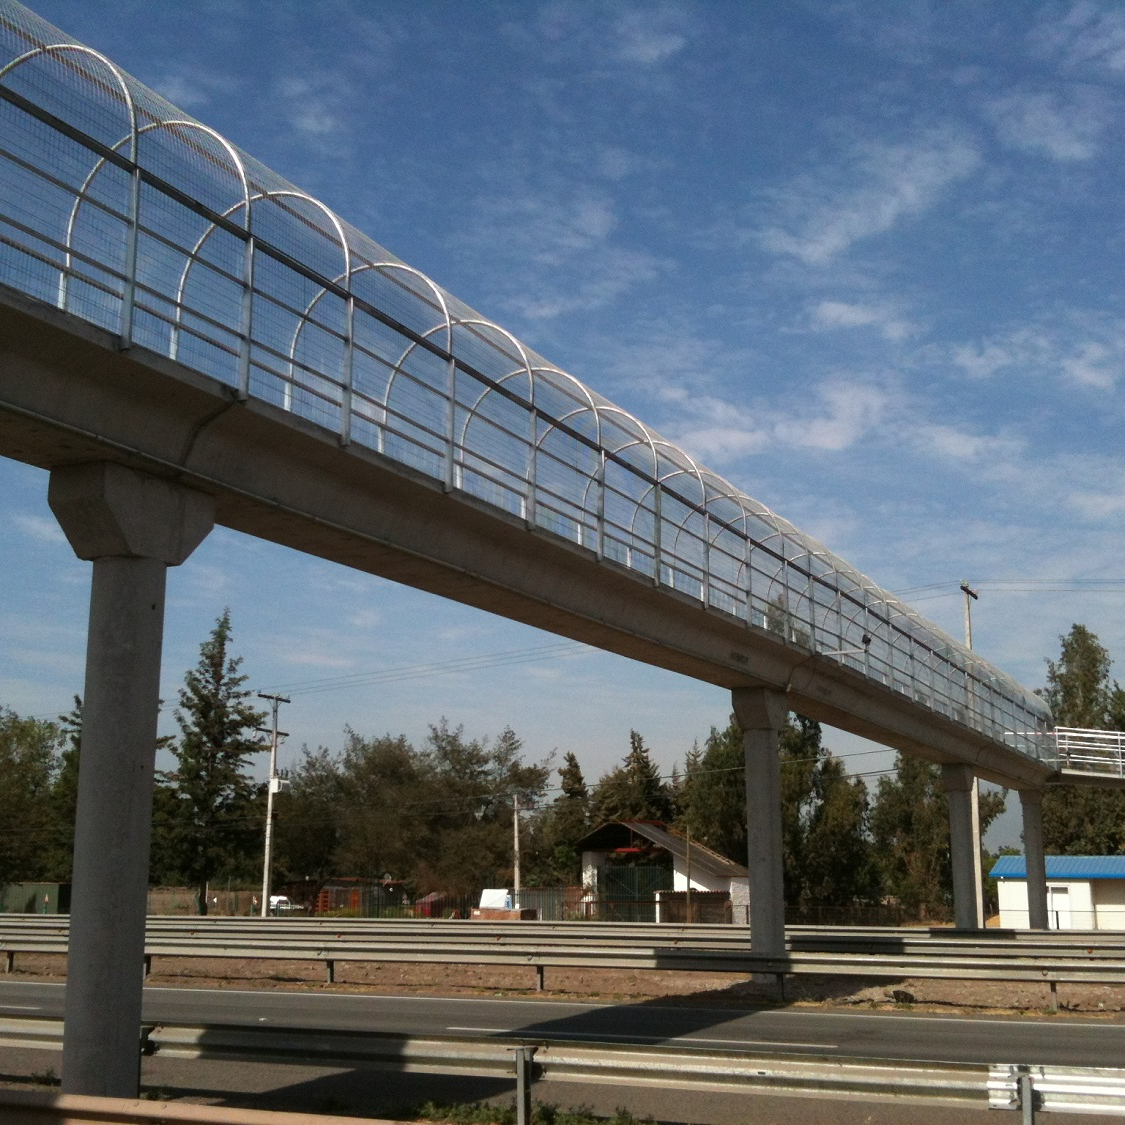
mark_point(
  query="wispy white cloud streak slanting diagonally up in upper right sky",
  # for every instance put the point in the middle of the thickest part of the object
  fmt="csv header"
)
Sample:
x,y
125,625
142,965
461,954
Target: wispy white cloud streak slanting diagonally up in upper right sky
x,y
888,184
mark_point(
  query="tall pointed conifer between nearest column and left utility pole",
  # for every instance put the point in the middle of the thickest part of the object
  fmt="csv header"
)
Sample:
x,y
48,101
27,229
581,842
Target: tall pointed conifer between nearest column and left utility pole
x,y
212,823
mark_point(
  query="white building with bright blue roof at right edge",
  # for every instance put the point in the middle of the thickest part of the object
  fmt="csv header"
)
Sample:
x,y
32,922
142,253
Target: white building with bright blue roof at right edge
x,y
1084,892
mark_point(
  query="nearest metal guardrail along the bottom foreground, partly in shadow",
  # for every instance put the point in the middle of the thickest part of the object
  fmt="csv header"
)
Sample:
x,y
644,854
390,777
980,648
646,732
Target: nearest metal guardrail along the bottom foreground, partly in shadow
x,y
674,1067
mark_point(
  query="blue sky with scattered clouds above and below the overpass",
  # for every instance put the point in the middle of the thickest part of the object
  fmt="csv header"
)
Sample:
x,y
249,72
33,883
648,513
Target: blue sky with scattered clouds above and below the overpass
x,y
862,259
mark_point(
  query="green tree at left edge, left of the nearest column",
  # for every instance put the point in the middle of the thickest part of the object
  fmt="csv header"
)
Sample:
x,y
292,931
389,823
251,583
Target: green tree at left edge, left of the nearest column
x,y
29,767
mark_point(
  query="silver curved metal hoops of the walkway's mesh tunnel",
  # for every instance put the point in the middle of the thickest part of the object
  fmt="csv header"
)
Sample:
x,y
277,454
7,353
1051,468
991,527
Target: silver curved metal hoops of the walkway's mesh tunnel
x,y
905,640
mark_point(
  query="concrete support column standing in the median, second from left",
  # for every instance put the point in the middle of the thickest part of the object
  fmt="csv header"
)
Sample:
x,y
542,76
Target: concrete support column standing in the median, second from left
x,y
762,715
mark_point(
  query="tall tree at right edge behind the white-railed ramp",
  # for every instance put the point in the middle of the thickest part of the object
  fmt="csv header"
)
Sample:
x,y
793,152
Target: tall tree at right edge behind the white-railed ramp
x,y
1081,820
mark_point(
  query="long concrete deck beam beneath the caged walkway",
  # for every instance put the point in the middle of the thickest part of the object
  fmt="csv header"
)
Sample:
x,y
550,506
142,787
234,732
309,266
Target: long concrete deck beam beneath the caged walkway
x,y
68,395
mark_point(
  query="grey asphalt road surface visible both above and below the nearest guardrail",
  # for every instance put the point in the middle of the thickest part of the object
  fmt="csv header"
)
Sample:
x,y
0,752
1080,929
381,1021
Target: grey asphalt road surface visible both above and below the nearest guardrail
x,y
1059,1041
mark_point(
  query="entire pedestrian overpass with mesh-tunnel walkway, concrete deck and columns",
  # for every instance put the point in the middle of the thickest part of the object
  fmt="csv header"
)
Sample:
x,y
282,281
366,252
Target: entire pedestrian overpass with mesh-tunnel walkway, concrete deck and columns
x,y
187,338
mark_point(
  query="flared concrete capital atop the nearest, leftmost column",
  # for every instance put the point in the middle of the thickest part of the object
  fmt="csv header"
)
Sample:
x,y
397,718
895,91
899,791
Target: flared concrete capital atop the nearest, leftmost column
x,y
110,511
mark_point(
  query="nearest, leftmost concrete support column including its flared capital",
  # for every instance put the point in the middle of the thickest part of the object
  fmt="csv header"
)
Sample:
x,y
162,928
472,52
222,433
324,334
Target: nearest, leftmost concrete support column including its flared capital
x,y
132,527
